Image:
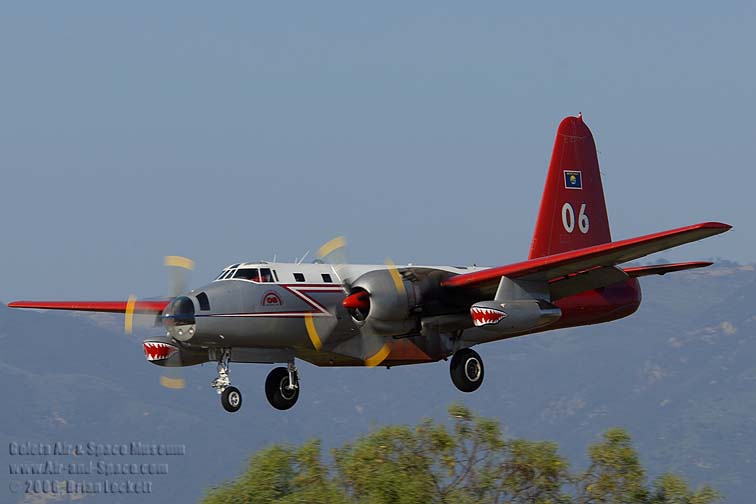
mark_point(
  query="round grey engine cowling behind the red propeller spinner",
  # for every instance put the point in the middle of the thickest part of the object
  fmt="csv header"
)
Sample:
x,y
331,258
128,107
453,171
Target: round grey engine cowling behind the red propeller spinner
x,y
390,303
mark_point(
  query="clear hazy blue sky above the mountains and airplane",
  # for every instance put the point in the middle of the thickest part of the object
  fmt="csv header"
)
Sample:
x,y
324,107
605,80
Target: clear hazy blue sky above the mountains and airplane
x,y
421,130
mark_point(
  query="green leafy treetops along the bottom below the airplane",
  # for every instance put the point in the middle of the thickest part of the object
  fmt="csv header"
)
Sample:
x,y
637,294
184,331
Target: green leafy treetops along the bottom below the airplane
x,y
468,462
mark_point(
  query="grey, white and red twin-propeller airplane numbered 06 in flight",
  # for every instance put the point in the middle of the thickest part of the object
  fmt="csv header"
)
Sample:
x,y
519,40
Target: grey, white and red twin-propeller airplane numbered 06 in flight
x,y
331,313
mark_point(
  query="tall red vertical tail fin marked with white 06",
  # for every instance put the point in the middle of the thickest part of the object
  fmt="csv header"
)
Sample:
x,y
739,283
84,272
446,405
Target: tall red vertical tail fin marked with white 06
x,y
573,211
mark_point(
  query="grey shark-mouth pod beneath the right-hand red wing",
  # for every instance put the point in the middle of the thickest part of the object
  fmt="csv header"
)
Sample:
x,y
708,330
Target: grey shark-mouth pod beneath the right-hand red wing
x,y
513,317
